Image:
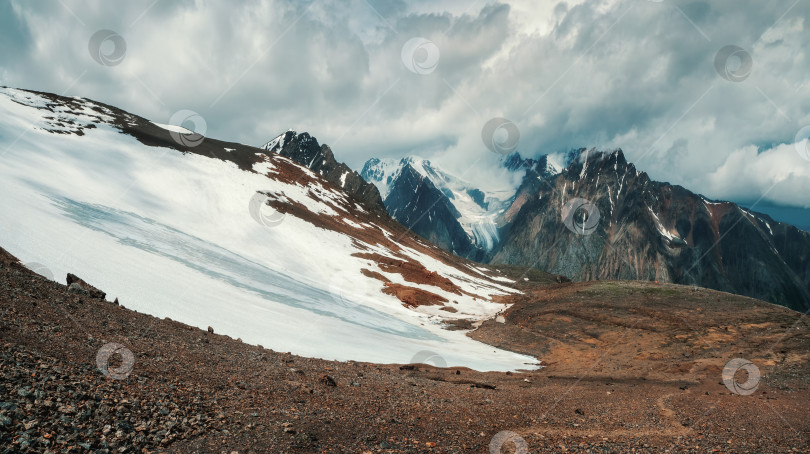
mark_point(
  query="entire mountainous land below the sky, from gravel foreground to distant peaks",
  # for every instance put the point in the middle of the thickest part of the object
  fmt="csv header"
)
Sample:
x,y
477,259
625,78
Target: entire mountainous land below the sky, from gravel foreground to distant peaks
x,y
209,266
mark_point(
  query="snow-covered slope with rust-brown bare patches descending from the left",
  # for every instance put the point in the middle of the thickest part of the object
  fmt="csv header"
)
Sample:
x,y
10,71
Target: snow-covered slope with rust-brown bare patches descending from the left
x,y
222,234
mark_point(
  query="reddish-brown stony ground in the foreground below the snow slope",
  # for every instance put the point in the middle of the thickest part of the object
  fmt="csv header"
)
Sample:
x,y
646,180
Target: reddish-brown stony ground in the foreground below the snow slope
x,y
630,367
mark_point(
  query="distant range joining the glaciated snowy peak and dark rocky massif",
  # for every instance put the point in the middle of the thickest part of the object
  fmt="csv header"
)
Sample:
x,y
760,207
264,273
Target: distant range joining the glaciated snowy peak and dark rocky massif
x,y
592,215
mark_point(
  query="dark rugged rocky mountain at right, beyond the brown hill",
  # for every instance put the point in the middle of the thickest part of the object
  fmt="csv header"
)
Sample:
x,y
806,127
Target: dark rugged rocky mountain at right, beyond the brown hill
x,y
643,229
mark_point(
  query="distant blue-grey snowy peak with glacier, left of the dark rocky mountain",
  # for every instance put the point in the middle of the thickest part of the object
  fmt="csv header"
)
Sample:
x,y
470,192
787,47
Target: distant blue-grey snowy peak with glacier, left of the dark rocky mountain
x,y
469,216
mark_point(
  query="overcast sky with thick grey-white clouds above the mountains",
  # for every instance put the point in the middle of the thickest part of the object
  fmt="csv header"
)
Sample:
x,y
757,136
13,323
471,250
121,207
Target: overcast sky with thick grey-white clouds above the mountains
x,y
654,78
